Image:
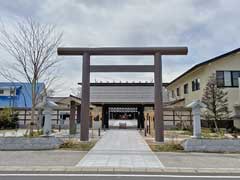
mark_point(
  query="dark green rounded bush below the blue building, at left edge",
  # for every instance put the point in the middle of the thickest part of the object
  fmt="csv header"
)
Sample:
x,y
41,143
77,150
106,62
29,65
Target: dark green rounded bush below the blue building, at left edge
x,y
8,119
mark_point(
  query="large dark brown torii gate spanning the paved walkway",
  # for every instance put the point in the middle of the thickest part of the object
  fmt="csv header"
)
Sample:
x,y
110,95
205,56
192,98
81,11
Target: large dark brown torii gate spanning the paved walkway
x,y
157,52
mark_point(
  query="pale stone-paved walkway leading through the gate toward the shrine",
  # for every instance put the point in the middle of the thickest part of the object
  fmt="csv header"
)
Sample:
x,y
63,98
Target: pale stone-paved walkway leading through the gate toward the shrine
x,y
121,149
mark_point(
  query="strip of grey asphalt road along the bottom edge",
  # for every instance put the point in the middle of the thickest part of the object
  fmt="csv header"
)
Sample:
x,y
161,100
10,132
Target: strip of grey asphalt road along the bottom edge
x,y
110,177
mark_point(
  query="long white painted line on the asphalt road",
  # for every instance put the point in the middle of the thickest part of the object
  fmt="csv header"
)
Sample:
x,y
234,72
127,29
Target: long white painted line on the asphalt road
x,y
118,175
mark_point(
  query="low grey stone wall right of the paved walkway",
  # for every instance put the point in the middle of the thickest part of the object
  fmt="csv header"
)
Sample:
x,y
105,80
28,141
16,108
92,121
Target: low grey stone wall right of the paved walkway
x,y
212,145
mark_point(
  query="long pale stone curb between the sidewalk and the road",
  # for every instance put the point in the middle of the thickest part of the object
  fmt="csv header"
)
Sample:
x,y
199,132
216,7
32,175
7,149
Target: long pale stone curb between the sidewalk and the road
x,y
72,169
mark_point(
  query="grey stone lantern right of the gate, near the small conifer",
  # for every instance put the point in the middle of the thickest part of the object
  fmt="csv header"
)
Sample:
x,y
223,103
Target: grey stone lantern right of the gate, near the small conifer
x,y
196,112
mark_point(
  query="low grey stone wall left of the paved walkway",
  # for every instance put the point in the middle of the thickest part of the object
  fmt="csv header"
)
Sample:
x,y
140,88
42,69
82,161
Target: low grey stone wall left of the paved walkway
x,y
22,143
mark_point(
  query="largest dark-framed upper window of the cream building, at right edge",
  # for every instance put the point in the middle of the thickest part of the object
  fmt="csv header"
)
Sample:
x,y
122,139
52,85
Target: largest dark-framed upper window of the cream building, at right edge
x,y
227,78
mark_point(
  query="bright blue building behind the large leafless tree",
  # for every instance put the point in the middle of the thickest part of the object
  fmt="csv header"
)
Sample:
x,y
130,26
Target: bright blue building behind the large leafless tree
x,y
17,94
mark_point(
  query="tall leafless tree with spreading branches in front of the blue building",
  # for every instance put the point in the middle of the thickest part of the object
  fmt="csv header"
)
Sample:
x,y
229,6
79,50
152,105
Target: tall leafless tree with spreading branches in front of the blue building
x,y
33,48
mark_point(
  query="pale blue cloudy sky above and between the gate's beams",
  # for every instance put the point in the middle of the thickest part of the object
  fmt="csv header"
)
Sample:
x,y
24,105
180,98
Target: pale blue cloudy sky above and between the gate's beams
x,y
208,27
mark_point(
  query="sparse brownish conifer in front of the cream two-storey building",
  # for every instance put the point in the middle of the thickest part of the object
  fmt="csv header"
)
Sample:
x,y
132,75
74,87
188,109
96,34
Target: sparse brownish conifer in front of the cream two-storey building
x,y
216,100
